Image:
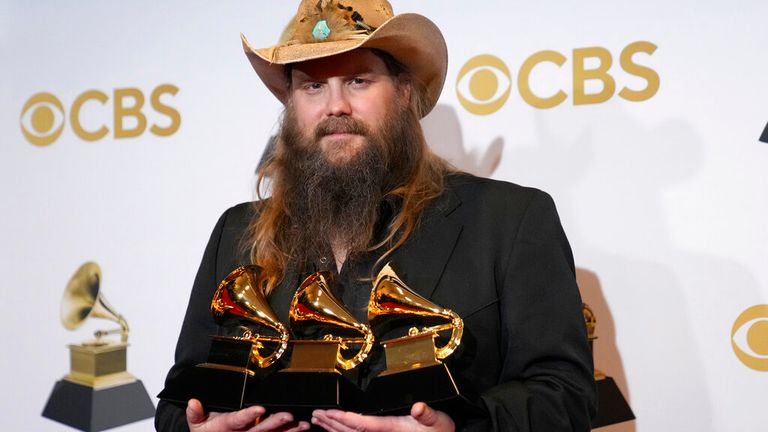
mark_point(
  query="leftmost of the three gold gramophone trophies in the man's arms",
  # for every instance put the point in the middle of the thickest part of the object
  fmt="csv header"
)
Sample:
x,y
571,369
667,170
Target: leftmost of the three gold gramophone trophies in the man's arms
x,y
220,383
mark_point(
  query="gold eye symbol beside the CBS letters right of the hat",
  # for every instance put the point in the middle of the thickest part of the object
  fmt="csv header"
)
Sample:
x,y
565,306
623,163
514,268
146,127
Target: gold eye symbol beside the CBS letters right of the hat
x,y
483,84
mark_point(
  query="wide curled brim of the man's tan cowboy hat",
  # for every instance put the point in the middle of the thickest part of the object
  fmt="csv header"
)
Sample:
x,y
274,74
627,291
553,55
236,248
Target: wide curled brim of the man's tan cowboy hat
x,y
412,39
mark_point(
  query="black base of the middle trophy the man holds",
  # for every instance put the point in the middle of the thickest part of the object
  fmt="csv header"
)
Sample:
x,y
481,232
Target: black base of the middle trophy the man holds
x,y
299,393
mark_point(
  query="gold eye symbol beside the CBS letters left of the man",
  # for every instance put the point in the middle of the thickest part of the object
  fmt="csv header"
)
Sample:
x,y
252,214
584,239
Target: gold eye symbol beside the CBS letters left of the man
x,y
42,119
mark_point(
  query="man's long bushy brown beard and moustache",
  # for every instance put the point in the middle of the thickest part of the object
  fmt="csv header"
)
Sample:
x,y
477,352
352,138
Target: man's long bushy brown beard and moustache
x,y
338,203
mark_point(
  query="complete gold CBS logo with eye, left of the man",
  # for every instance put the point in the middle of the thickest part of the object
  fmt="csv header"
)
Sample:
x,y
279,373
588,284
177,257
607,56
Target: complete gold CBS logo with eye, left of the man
x,y
43,116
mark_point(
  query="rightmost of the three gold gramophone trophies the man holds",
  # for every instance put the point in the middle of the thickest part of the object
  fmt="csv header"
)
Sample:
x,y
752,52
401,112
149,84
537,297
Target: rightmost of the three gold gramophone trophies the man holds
x,y
414,368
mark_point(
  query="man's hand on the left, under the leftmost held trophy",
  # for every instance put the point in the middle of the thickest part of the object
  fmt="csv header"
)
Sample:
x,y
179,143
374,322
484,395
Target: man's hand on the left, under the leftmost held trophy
x,y
245,420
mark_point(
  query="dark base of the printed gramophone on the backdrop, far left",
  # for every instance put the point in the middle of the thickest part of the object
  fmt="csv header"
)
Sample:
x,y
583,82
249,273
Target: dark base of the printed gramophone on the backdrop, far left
x,y
88,409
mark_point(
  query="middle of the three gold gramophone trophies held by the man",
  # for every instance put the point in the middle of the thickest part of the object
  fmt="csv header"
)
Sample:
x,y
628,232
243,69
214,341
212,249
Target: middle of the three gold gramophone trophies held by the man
x,y
325,341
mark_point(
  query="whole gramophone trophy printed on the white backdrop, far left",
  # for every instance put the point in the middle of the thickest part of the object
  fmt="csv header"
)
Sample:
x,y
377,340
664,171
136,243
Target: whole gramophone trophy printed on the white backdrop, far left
x,y
98,393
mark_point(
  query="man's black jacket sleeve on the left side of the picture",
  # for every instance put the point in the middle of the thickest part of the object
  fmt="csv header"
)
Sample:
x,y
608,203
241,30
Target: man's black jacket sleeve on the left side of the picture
x,y
194,339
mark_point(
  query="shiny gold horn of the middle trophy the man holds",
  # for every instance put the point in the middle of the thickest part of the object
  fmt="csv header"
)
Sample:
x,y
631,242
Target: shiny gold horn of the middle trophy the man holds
x,y
314,308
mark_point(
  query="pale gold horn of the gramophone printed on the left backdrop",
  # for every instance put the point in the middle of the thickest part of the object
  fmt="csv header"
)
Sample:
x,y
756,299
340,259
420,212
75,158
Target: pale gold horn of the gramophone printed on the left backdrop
x,y
83,299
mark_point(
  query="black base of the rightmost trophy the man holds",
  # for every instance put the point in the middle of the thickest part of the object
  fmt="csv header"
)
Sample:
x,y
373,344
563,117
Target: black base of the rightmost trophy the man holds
x,y
395,393
